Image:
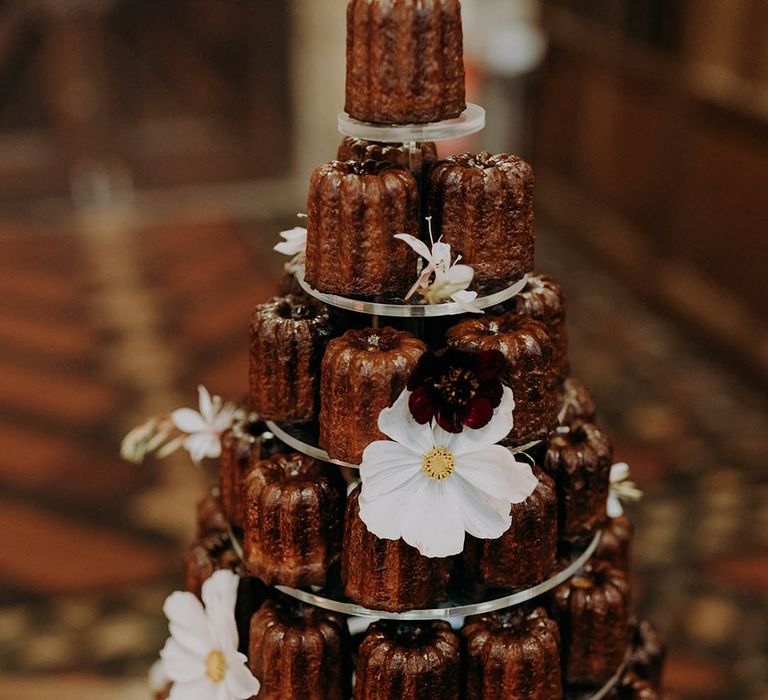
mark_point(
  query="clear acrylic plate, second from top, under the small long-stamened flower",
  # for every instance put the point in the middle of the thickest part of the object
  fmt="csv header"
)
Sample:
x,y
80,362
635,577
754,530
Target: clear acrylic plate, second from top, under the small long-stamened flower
x,y
405,309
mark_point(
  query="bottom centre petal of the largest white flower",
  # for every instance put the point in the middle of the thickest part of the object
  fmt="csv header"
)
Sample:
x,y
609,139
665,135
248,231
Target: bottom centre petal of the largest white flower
x,y
433,522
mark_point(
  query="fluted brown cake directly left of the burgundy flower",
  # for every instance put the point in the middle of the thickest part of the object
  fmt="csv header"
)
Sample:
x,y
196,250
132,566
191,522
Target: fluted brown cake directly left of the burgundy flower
x,y
363,372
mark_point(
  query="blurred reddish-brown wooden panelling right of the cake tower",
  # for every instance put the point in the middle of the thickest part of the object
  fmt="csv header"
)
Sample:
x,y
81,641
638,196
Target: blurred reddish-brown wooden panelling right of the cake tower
x,y
652,147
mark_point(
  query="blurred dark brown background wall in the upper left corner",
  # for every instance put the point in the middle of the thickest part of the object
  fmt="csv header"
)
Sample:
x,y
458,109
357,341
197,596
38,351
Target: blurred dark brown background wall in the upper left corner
x,y
163,93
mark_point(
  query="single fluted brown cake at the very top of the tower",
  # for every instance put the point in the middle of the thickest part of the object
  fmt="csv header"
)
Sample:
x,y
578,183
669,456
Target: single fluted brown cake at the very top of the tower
x,y
405,61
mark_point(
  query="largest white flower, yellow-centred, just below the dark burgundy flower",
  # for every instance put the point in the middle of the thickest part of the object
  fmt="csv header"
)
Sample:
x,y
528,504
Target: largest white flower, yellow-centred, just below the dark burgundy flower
x,y
430,486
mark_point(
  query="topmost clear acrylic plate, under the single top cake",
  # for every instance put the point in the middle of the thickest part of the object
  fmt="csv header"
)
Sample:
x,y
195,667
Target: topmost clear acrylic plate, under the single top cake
x,y
469,122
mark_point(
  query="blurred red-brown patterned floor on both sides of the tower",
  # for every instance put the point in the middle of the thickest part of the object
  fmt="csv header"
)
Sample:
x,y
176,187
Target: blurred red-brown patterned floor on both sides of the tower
x,y
102,328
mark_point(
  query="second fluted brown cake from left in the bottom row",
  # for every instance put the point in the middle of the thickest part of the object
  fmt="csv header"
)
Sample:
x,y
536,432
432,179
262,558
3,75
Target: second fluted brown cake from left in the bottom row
x,y
409,661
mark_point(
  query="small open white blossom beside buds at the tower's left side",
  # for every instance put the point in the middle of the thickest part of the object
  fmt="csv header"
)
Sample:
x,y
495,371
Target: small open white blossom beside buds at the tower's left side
x,y
204,427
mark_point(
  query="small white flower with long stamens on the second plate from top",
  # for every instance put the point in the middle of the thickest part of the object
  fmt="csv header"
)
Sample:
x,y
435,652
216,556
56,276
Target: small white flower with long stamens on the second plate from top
x,y
450,279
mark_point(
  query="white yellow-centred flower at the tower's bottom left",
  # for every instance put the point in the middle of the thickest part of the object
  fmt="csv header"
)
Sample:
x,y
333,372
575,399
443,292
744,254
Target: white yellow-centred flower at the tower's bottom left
x,y
201,656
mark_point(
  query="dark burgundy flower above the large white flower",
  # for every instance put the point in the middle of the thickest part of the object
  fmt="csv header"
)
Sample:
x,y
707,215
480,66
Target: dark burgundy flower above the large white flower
x,y
456,388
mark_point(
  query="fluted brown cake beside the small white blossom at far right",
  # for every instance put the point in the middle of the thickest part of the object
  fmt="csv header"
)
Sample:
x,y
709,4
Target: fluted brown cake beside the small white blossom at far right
x,y
579,459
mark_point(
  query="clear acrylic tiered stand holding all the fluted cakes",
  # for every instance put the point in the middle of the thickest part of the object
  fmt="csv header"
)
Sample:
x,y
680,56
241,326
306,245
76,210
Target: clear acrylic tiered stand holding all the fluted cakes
x,y
303,437
